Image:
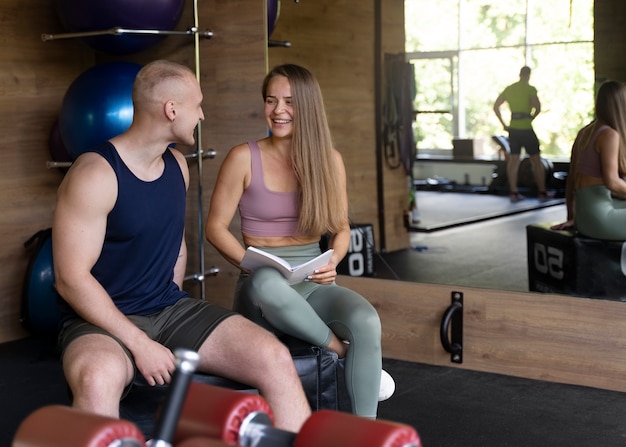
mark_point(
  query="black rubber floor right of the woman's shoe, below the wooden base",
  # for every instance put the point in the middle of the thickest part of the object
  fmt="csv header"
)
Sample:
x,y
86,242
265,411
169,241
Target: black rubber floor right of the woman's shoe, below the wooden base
x,y
459,408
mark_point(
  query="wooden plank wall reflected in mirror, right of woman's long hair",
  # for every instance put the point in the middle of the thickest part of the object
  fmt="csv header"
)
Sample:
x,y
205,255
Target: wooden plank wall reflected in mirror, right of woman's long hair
x,y
335,39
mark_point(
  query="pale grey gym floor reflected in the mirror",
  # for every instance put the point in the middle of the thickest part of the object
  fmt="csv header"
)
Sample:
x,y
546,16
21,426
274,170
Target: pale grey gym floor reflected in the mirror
x,y
488,253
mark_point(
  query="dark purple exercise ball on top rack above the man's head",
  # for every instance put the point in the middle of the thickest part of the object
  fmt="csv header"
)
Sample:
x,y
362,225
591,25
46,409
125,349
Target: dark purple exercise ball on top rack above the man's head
x,y
97,15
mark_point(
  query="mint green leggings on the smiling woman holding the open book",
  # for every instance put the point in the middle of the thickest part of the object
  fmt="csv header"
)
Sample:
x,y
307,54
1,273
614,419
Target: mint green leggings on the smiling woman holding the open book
x,y
310,311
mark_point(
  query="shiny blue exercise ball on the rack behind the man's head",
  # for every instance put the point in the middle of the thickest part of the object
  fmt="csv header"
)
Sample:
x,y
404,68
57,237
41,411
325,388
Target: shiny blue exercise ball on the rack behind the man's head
x,y
97,106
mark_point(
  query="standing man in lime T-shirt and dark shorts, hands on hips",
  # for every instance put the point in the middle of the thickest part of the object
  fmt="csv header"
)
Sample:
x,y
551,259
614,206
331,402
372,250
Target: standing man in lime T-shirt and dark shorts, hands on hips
x,y
525,106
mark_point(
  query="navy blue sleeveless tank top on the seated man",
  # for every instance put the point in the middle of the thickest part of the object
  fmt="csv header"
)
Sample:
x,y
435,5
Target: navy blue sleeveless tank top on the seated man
x,y
143,237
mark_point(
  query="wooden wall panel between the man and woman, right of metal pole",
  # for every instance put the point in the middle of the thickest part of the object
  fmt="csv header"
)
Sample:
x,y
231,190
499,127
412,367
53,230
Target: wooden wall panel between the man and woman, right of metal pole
x,y
233,64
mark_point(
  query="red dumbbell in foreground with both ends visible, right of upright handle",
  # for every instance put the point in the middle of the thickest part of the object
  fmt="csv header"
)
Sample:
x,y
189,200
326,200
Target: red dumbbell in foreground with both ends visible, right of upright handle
x,y
246,420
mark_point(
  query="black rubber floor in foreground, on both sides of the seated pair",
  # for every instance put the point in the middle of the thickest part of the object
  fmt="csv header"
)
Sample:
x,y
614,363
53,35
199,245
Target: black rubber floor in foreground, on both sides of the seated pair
x,y
449,407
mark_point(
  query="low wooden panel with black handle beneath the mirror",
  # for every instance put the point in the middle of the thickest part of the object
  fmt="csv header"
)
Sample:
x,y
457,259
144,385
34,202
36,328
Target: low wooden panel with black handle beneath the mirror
x,y
545,337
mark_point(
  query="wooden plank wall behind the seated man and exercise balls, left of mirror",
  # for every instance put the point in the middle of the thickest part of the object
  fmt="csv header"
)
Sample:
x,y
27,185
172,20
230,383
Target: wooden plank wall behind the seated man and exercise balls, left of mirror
x,y
33,80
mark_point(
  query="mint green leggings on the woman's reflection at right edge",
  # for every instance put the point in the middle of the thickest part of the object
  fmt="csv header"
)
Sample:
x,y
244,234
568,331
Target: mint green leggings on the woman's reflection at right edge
x,y
598,215
